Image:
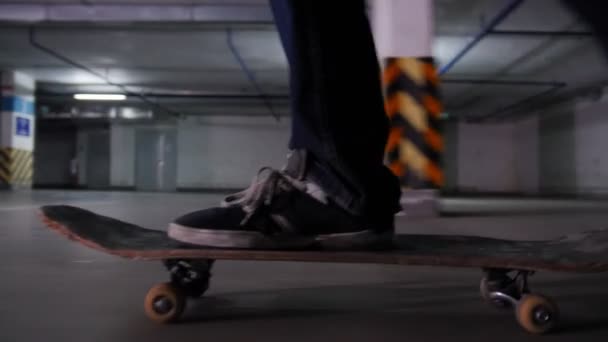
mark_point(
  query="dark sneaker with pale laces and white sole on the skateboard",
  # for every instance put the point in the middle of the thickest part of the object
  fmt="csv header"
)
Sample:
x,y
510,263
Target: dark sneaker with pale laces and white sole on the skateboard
x,y
279,211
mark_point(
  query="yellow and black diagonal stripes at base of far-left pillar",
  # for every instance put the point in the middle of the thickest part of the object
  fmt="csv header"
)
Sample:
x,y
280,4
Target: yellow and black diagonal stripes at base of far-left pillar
x,y
16,167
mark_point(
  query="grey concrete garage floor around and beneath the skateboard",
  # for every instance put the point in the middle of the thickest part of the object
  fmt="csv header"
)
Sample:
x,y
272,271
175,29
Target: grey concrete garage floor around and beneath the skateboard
x,y
55,290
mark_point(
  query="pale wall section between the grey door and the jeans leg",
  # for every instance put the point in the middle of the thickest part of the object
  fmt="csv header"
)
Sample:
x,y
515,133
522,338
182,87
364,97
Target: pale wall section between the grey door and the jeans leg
x,y
226,152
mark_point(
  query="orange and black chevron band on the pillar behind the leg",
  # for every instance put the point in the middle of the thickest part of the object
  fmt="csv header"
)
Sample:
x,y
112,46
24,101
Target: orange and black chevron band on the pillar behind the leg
x,y
415,144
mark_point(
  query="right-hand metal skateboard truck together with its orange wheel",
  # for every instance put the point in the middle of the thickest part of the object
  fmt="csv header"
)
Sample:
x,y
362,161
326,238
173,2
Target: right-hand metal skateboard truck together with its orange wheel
x,y
534,312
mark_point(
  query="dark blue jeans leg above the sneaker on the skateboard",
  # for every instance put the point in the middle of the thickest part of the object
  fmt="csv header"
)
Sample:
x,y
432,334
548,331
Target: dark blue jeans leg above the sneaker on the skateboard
x,y
337,105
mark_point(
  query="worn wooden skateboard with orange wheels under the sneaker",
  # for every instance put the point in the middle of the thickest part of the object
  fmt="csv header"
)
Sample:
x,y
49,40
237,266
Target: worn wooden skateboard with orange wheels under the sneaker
x,y
506,264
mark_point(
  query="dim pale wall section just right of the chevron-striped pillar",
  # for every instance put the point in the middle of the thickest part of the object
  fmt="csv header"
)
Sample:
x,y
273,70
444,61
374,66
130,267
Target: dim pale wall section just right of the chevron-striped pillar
x,y
492,158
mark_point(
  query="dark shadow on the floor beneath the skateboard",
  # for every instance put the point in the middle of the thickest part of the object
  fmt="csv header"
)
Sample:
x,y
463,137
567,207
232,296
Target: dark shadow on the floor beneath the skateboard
x,y
582,310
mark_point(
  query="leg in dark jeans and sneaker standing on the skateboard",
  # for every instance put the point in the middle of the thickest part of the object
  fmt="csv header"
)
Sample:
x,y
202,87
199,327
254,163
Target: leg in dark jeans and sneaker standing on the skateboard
x,y
335,190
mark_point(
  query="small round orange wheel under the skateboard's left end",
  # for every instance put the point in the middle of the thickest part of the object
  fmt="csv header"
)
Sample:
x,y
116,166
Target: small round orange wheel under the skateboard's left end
x,y
164,303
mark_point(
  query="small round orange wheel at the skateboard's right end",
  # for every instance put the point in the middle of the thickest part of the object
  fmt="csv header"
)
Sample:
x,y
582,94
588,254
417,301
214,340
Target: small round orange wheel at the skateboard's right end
x,y
537,314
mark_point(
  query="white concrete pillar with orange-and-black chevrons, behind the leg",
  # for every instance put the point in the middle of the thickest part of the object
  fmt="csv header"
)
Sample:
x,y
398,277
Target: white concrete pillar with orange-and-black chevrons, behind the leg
x,y
404,33
